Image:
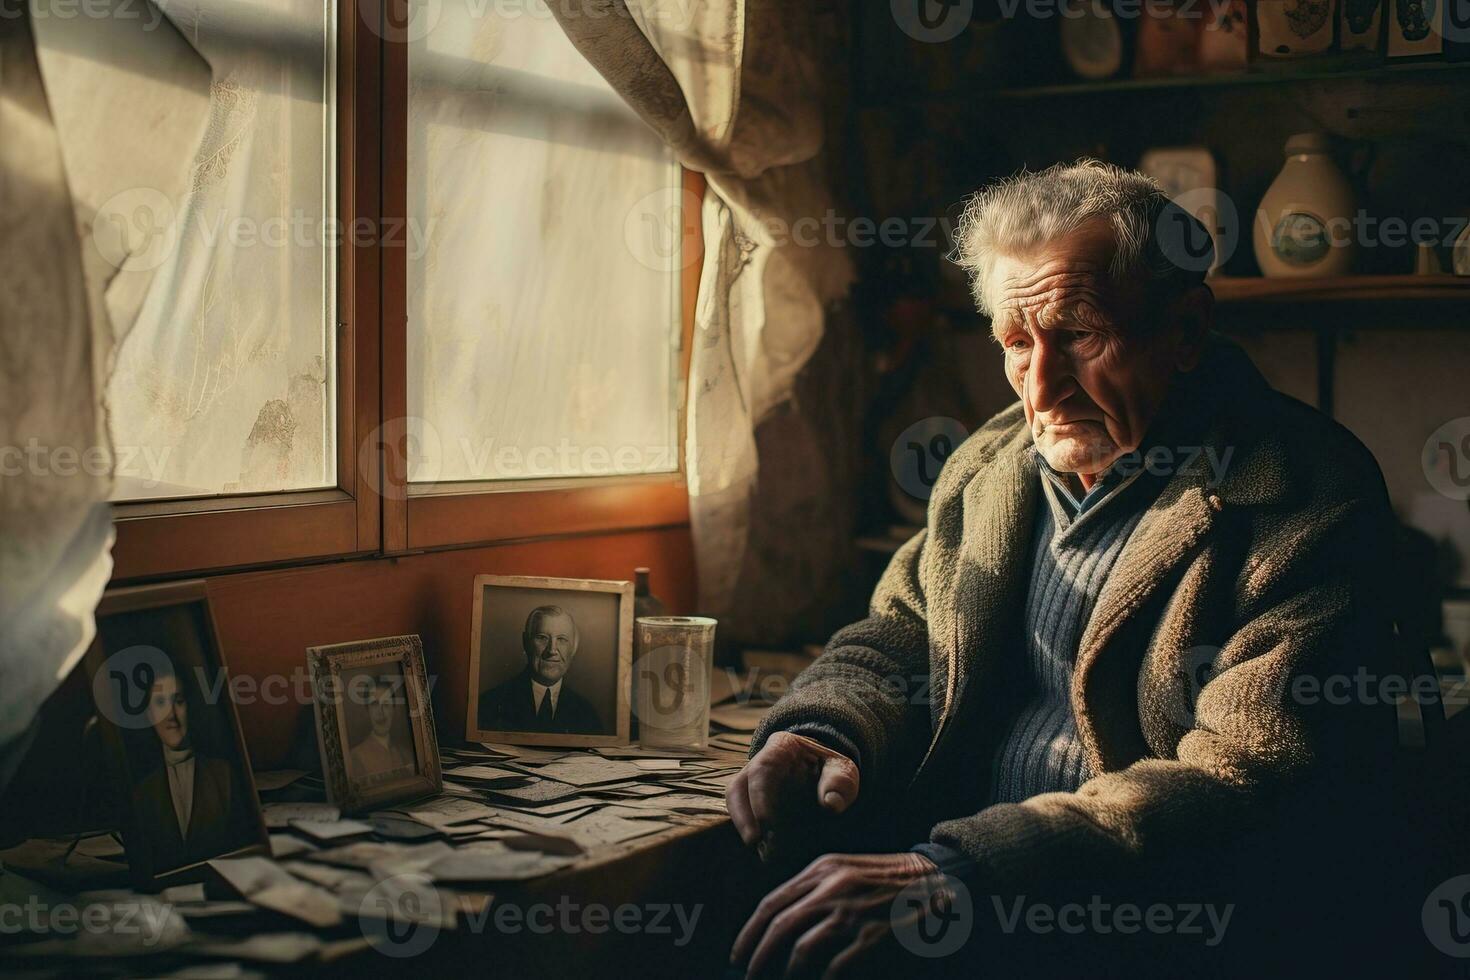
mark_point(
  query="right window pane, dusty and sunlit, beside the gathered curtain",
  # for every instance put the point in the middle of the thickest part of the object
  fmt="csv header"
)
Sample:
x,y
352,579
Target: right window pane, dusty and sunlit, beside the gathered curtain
x,y
540,346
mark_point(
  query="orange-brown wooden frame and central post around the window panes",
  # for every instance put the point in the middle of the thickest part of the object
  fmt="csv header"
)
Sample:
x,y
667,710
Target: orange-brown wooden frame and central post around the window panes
x,y
373,511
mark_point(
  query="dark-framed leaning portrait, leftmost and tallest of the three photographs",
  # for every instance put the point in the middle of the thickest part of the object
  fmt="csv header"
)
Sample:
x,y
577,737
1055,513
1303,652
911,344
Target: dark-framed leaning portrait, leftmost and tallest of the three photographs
x,y
167,716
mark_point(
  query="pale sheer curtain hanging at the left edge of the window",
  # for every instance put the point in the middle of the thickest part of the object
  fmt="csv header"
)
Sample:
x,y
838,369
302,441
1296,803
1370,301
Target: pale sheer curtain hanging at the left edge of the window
x,y
68,289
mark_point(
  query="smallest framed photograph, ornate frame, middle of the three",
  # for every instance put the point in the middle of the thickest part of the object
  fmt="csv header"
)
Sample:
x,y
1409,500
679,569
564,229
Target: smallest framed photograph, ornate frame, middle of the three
x,y
374,722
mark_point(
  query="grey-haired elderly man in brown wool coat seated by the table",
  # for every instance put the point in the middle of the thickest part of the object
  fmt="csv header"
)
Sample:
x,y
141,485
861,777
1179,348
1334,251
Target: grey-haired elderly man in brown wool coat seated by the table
x,y
1096,665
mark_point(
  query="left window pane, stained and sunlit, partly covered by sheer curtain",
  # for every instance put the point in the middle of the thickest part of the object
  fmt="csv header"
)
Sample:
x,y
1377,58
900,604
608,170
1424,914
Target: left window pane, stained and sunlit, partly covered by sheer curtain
x,y
227,383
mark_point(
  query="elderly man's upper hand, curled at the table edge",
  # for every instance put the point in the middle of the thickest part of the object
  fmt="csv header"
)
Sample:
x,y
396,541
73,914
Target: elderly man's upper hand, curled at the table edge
x,y
787,777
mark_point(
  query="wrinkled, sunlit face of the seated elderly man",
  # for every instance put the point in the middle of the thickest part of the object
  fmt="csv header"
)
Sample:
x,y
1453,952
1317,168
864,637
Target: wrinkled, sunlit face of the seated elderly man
x,y
1080,350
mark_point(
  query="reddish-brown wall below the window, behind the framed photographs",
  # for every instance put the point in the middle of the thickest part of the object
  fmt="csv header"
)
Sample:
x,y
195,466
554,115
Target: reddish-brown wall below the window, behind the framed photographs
x,y
268,619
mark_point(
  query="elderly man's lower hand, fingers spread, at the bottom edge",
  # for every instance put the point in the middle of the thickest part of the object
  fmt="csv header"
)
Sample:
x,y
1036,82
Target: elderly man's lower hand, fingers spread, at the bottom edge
x,y
830,920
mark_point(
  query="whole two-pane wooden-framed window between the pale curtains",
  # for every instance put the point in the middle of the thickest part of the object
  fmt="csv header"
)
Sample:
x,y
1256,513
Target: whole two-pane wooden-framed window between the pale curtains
x,y
501,355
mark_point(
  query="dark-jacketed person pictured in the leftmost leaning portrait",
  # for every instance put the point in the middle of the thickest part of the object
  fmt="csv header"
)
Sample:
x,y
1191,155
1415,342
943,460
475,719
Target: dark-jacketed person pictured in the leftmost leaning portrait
x,y
193,806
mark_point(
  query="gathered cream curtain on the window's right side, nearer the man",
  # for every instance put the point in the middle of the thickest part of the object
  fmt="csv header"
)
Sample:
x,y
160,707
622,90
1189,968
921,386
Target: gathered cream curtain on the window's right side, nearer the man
x,y
734,90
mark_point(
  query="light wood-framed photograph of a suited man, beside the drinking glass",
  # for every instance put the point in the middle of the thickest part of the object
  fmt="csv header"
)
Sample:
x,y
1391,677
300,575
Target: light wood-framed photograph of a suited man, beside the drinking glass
x,y
551,662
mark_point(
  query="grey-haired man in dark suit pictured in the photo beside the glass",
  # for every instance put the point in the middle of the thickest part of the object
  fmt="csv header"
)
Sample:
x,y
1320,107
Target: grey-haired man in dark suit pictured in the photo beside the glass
x,y
539,700
